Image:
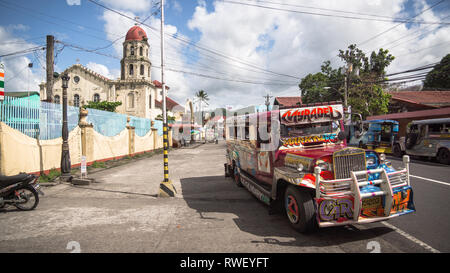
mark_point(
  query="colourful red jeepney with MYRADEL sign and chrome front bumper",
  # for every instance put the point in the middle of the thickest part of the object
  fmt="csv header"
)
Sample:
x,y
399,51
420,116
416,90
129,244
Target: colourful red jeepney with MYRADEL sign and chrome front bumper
x,y
310,173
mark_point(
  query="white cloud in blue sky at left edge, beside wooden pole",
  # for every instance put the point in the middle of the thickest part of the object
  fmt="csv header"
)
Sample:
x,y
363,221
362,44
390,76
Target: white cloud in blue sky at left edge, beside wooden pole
x,y
18,76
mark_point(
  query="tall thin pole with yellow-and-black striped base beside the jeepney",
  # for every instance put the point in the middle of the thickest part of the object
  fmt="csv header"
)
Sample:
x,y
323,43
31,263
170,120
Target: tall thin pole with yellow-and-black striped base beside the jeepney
x,y
166,189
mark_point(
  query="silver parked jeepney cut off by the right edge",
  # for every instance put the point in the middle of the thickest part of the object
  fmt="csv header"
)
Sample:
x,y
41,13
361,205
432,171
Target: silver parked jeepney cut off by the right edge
x,y
430,138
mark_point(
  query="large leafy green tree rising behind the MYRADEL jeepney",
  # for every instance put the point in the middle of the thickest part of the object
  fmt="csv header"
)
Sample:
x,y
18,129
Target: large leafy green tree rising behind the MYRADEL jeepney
x,y
365,93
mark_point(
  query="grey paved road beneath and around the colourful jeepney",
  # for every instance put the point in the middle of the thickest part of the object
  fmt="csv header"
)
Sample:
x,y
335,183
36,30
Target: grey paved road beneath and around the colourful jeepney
x,y
120,213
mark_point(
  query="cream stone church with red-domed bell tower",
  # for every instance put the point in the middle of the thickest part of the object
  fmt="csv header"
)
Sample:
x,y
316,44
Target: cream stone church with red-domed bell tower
x,y
140,96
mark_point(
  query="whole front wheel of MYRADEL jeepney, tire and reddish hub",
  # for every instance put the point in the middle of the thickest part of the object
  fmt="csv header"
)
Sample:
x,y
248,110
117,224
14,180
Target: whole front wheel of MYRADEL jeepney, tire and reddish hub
x,y
300,211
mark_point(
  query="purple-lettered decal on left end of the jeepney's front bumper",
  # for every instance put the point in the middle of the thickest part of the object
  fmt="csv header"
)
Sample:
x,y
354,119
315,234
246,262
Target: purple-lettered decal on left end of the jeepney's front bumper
x,y
337,209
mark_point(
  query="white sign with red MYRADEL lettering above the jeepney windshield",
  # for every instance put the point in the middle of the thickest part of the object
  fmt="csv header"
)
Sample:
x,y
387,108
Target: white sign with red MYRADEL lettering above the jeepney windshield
x,y
311,114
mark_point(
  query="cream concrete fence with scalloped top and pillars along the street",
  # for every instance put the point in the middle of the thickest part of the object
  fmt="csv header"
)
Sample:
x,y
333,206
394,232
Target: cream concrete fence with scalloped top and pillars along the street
x,y
21,153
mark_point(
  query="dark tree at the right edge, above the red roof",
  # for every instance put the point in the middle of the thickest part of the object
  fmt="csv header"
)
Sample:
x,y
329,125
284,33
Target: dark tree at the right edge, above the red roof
x,y
439,77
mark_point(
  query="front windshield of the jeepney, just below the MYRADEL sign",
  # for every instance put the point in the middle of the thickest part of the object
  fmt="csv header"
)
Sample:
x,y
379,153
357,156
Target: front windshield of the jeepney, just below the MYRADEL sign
x,y
307,129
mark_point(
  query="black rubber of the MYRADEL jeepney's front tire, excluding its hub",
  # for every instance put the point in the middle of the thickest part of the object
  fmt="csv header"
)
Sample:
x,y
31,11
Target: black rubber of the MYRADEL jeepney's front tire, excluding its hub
x,y
307,215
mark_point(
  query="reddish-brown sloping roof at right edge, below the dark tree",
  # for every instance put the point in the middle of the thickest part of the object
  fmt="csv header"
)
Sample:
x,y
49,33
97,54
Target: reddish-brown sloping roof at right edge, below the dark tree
x,y
408,101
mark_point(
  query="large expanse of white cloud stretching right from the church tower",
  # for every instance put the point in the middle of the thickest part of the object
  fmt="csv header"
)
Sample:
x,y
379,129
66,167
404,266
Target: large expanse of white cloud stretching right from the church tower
x,y
288,43
